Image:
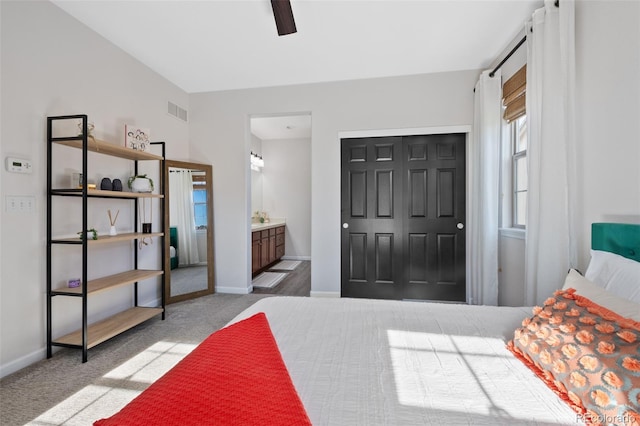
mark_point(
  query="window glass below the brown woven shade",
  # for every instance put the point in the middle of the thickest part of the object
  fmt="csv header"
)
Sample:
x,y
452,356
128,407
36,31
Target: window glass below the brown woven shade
x,y
520,182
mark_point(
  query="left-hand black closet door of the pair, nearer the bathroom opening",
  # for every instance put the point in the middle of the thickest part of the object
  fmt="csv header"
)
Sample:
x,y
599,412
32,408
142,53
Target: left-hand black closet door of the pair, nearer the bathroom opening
x,y
371,218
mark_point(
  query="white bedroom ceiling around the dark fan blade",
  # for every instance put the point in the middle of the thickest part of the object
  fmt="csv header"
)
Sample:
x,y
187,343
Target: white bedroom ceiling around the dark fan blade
x,y
212,45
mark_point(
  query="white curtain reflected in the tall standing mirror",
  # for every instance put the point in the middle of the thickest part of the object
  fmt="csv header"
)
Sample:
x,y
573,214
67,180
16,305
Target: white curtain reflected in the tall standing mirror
x,y
181,215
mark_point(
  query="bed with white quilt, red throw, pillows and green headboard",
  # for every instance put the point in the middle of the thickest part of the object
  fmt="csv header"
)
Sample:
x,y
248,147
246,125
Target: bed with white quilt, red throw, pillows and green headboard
x,y
370,362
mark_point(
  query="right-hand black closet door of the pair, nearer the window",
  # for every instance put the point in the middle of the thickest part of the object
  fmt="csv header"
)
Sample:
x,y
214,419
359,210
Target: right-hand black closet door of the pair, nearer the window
x,y
433,223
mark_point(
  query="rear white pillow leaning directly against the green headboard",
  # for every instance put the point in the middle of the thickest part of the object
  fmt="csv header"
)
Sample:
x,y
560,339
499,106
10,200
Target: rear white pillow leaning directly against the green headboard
x,y
616,274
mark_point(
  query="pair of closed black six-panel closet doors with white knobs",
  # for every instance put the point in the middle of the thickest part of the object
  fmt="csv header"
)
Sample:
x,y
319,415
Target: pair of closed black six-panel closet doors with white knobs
x,y
402,198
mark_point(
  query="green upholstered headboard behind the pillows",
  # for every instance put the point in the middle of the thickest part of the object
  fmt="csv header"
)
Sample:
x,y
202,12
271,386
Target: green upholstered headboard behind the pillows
x,y
619,238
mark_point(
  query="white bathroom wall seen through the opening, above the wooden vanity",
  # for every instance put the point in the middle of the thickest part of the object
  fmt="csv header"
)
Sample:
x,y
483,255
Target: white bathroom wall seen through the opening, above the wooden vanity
x,y
287,191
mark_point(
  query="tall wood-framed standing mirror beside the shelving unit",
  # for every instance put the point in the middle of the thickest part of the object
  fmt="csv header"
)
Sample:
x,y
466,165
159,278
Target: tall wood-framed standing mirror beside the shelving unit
x,y
188,230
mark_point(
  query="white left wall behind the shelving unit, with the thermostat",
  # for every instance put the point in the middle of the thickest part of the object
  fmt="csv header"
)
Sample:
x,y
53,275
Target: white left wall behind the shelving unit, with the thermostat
x,y
52,64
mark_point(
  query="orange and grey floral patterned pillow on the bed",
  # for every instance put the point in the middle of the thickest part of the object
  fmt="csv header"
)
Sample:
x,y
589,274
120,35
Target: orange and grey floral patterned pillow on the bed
x,y
588,355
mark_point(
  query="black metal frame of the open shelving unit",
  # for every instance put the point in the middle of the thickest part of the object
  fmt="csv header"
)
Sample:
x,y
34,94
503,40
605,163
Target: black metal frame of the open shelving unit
x,y
83,193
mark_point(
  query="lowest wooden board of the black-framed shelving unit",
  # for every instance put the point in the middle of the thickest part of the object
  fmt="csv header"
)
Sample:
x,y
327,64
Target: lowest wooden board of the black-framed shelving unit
x,y
104,330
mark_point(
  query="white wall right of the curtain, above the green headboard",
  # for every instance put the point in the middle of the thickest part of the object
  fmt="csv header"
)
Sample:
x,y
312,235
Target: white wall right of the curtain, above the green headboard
x,y
608,111
